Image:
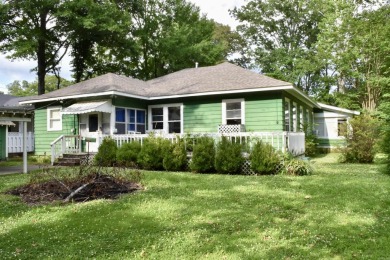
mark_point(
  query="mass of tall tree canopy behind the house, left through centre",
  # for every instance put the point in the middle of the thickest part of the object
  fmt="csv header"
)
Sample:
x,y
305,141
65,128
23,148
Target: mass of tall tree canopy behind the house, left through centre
x,y
141,38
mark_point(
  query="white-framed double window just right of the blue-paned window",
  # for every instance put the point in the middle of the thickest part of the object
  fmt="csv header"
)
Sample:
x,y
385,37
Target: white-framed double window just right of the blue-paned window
x,y
167,118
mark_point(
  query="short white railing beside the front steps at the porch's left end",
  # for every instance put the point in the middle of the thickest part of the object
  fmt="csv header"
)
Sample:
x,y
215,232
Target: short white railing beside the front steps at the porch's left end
x,y
65,144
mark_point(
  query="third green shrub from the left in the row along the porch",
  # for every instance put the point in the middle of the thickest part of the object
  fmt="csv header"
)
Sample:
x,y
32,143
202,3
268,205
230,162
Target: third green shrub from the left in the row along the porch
x,y
152,153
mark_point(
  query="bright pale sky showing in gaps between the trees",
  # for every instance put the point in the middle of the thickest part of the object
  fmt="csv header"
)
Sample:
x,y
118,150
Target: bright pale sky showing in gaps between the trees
x,y
10,71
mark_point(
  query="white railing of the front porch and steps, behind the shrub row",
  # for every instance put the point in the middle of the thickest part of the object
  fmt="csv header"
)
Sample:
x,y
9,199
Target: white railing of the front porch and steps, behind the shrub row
x,y
281,141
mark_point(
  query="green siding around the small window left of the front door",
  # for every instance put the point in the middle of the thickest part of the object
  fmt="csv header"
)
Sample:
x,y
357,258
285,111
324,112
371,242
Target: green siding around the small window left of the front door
x,y
43,138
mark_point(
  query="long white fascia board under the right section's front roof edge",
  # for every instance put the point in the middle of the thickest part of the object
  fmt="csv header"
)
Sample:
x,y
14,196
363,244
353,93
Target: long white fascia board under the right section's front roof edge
x,y
224,92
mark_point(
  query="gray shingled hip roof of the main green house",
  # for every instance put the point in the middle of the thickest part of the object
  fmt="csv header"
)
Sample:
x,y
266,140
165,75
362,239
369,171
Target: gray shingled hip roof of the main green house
x,y
218,78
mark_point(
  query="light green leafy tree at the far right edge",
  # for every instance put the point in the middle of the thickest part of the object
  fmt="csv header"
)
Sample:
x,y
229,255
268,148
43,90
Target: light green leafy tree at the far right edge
x,y
356,41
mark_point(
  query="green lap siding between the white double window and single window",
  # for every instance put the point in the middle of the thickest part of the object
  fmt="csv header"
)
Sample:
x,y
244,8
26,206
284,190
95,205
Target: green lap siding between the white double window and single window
x,y
202,116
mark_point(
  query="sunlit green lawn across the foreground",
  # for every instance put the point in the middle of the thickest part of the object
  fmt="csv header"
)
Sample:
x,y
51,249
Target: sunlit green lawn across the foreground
x,y
340,212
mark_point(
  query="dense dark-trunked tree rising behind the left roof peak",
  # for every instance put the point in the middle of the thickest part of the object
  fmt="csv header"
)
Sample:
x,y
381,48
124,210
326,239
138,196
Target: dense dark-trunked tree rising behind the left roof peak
x,y
94,29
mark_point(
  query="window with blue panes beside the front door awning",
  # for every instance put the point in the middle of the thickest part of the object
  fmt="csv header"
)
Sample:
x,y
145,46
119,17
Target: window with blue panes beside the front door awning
x,y
129,120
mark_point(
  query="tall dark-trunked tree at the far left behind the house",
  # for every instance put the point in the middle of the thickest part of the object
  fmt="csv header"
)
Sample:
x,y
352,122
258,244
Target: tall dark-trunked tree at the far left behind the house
x,y
28,31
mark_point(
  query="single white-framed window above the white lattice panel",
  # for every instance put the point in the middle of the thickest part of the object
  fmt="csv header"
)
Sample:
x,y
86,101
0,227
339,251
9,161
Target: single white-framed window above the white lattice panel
x,y
233,111
